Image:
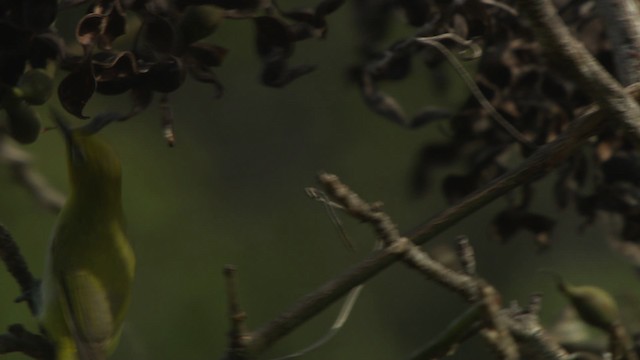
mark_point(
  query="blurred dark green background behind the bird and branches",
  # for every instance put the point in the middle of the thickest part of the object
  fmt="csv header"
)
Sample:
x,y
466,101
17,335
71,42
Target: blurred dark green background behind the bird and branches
x,y
232,192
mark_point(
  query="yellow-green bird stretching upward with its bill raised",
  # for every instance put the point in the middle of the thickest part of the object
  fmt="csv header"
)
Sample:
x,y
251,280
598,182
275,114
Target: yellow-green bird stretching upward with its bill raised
x,y
86,287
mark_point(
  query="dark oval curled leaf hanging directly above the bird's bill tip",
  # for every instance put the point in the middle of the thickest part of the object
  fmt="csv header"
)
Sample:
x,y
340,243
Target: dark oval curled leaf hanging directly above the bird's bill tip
x,y
76,89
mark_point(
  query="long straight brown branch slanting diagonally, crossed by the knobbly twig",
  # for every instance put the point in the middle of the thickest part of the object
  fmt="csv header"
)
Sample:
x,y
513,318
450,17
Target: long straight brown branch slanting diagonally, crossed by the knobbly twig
x,y
543,161
